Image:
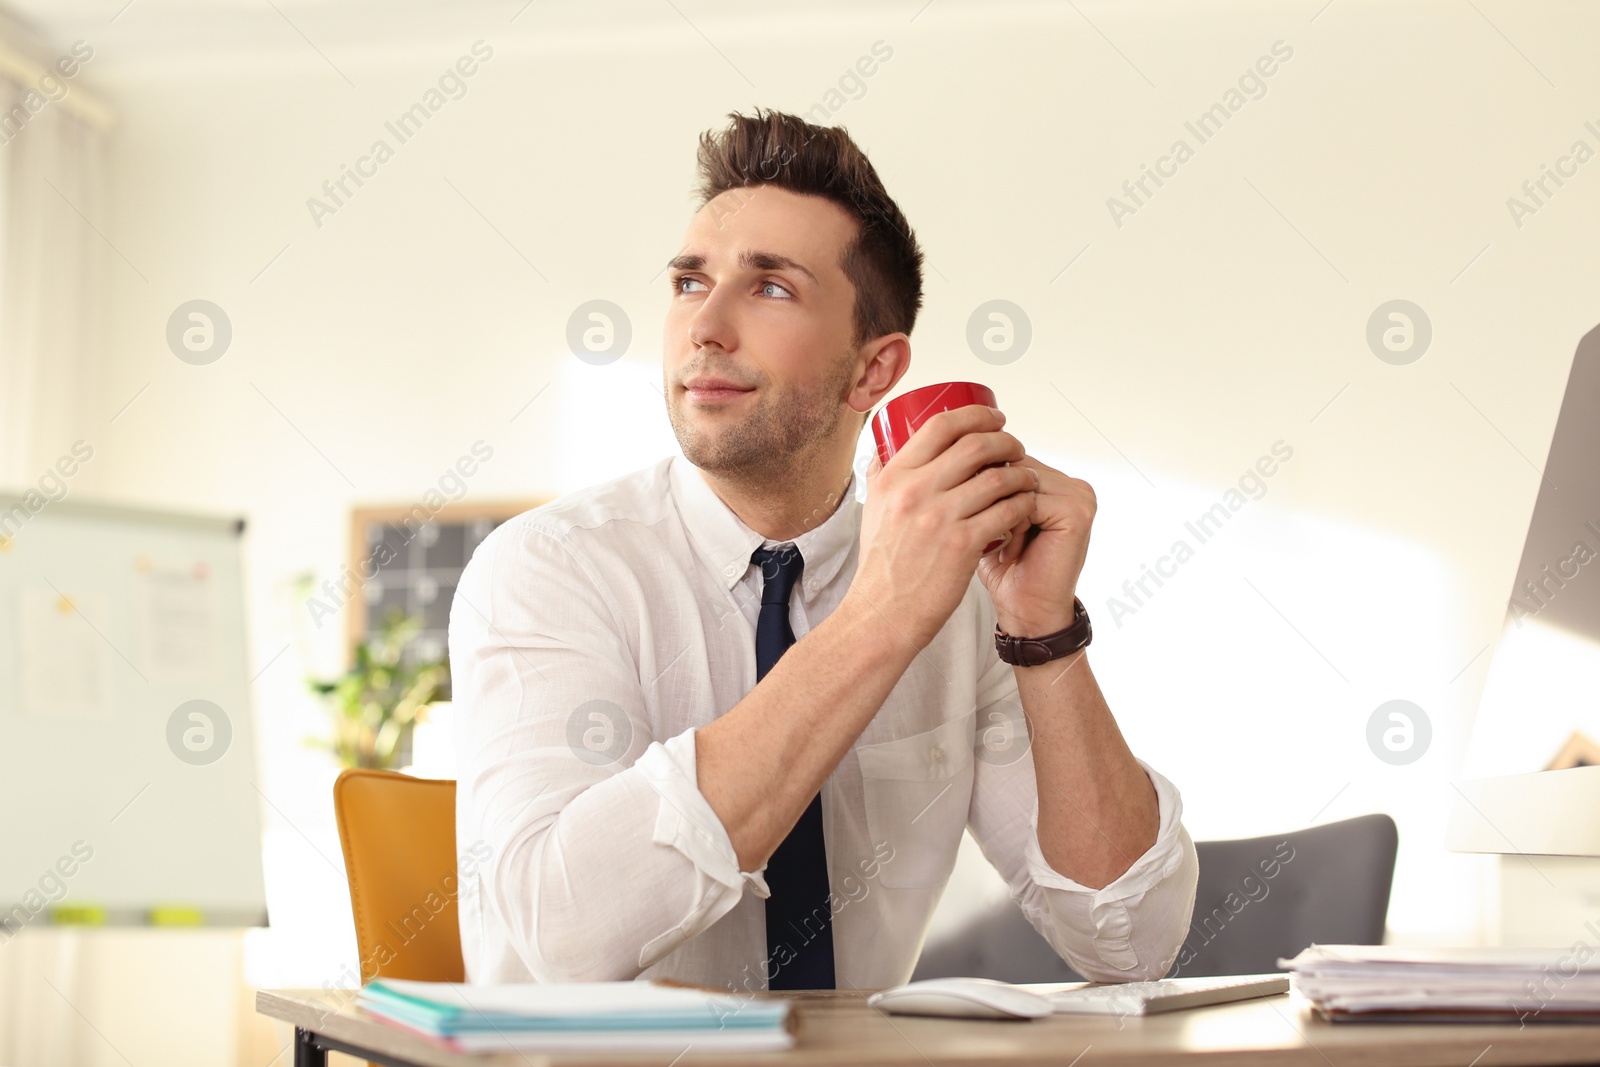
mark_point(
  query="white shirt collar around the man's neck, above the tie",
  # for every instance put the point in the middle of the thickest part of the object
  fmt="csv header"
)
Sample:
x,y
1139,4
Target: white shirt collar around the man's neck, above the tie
x,y
726,543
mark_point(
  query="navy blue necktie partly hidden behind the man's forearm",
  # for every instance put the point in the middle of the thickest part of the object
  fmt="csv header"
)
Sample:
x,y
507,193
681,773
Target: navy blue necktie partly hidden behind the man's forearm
x,y
799,922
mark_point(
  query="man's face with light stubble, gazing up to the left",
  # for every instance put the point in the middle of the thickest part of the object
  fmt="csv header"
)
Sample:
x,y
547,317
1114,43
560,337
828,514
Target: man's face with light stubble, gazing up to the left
x,y
759,354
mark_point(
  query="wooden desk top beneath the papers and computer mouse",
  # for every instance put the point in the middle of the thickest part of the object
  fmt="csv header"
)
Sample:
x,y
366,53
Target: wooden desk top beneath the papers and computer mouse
x,y
841,1029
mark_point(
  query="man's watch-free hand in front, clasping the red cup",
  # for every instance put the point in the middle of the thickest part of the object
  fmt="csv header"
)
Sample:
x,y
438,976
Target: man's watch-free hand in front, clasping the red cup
x,y
932,511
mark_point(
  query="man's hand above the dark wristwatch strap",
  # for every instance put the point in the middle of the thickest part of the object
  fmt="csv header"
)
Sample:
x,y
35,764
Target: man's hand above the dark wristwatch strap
x,y
1034,580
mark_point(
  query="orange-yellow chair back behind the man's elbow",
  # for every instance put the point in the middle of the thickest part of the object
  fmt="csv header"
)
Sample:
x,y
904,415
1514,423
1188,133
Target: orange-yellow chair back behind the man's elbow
x,y
399,839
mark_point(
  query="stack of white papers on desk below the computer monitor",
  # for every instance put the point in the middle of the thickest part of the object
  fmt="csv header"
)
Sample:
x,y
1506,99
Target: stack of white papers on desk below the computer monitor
x,y
1393,985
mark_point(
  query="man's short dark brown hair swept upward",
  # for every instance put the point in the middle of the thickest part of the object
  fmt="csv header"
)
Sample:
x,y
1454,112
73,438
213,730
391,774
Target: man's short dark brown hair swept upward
x,y
777,150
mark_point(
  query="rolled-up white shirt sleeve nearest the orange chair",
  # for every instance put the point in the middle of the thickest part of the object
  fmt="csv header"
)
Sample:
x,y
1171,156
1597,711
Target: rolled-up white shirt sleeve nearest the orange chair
x,y
606,857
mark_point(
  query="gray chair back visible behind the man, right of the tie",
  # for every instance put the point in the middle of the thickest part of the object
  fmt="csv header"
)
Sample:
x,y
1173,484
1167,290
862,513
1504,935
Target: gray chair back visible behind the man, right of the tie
x,y
1258,900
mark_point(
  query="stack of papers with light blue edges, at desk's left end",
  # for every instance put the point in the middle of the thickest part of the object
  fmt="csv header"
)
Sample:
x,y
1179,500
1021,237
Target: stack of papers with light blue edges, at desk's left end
x,y
615,1017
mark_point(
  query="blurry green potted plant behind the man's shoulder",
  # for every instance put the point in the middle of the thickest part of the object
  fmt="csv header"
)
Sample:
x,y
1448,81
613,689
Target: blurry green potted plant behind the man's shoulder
x,y
378,700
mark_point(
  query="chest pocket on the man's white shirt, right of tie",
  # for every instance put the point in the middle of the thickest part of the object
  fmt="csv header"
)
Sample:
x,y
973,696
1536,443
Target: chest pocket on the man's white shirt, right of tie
x,y
918,791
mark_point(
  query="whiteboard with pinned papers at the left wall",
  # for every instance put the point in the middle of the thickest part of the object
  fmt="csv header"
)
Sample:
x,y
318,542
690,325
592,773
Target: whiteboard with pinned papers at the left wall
x,y
127,749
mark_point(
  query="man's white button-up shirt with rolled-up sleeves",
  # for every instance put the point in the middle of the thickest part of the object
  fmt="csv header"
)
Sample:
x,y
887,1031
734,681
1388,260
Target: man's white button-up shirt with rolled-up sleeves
x,y
593,636
